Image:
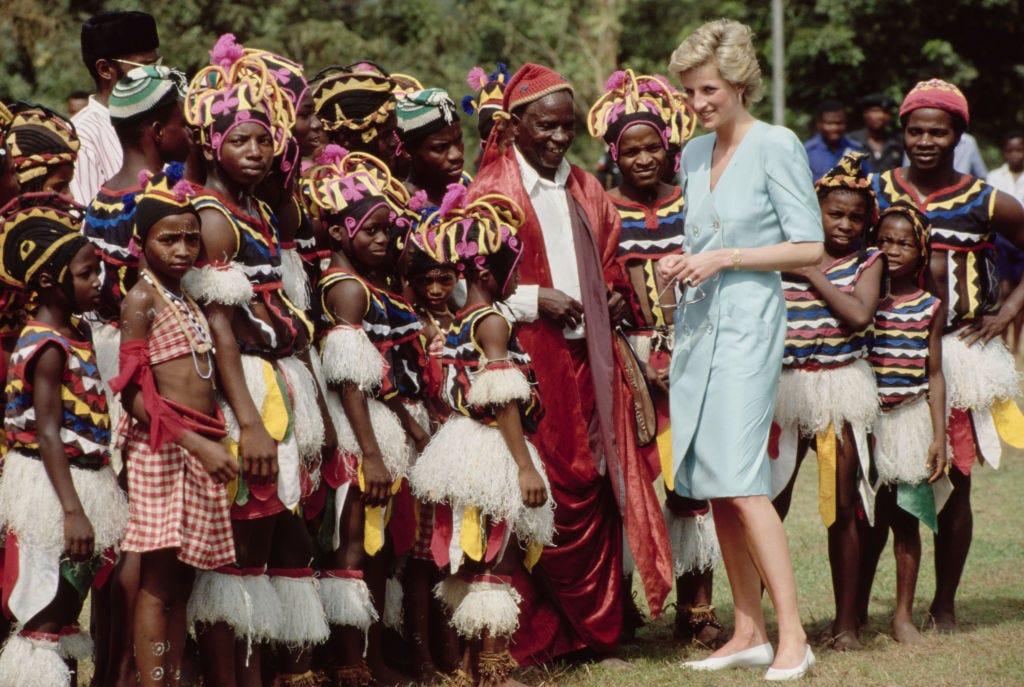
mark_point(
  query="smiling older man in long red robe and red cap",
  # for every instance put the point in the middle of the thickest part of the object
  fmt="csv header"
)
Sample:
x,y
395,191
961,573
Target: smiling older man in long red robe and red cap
x,y
570,299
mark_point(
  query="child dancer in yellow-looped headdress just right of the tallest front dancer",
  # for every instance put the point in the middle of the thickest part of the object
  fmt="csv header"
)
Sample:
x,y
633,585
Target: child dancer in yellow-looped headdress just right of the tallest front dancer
x,y
348,191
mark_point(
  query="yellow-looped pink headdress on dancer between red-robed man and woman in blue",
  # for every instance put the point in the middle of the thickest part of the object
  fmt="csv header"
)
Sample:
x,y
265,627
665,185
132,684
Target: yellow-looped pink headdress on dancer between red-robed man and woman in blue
x,y
630,101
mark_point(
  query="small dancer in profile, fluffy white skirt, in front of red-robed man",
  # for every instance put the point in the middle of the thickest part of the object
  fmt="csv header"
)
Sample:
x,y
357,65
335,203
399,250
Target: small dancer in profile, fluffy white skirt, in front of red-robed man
x,y
484,476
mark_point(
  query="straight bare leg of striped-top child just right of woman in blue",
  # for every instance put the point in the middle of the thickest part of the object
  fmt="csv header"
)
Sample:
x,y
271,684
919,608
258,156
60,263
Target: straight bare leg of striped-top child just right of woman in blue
x,y
844,545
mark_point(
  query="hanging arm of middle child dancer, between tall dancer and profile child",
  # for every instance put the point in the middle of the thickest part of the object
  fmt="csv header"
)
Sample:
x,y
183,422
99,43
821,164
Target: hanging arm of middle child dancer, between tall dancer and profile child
x,y
349,304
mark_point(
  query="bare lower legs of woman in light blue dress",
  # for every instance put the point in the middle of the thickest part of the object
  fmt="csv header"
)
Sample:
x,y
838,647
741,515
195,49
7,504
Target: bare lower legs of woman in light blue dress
x,y
755,524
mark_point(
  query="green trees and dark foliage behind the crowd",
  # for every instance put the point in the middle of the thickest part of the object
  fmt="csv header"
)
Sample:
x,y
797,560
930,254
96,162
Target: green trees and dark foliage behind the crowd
x,y
835,49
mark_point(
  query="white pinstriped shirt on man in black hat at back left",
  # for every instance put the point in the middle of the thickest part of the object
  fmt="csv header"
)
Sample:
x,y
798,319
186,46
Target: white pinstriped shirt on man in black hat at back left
x,y
100,155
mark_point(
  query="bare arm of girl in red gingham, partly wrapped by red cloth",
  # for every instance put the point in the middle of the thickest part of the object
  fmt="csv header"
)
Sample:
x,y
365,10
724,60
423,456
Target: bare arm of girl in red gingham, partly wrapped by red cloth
x,y
217,460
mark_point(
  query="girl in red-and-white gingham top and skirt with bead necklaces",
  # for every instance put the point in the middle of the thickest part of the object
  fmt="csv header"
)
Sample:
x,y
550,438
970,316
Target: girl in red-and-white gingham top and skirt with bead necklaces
x,y
180,518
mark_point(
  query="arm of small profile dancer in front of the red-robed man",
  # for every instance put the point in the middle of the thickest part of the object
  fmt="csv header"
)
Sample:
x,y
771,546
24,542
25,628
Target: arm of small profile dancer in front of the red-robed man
x,y
493,335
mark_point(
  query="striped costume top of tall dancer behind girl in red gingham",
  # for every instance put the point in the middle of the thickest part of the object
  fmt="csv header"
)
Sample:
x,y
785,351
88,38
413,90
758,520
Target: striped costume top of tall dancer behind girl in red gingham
x,y
259,252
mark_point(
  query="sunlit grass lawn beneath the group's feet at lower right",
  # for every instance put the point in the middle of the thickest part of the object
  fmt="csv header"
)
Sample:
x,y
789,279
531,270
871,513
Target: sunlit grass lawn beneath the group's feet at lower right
x,y
989,652
